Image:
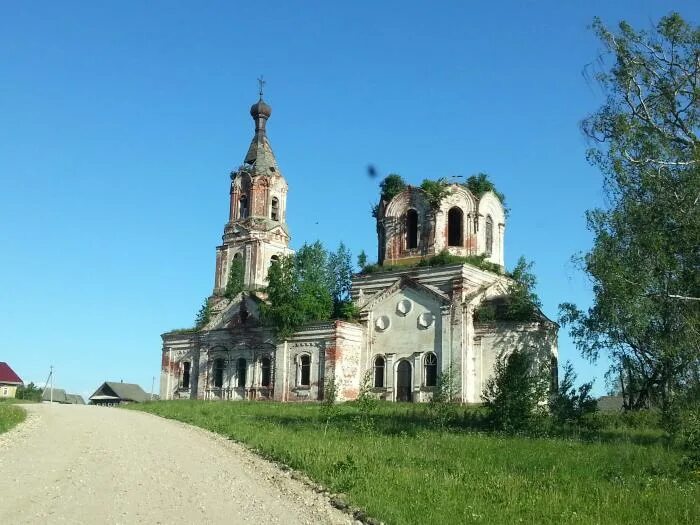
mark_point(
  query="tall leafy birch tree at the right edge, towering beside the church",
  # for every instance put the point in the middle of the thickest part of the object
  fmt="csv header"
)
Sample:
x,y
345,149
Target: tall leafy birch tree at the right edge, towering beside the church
x,y
645,258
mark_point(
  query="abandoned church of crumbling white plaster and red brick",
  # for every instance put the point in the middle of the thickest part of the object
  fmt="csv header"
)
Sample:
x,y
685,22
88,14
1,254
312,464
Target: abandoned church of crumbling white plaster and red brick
x,y
414,321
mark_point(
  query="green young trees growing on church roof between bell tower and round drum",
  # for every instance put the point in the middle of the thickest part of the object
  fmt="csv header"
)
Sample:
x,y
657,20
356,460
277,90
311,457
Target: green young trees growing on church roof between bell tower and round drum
x,y
298,290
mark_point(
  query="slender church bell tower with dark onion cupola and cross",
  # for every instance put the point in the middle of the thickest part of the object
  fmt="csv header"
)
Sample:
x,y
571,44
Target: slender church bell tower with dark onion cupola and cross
x,y
256,230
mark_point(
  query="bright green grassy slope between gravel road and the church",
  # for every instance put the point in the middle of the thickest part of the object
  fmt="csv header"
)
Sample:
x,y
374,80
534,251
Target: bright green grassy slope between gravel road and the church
x,y
408,472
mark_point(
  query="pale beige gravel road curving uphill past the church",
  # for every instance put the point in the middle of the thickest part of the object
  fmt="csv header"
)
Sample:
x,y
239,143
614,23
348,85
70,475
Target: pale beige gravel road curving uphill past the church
x,y
86,464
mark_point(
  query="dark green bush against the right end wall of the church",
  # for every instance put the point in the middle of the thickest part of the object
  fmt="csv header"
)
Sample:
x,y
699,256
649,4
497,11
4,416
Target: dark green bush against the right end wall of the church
x,y
514,392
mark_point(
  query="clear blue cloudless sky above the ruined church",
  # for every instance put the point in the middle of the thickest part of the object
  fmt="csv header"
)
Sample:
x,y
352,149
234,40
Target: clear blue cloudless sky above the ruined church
x,y
120,122
